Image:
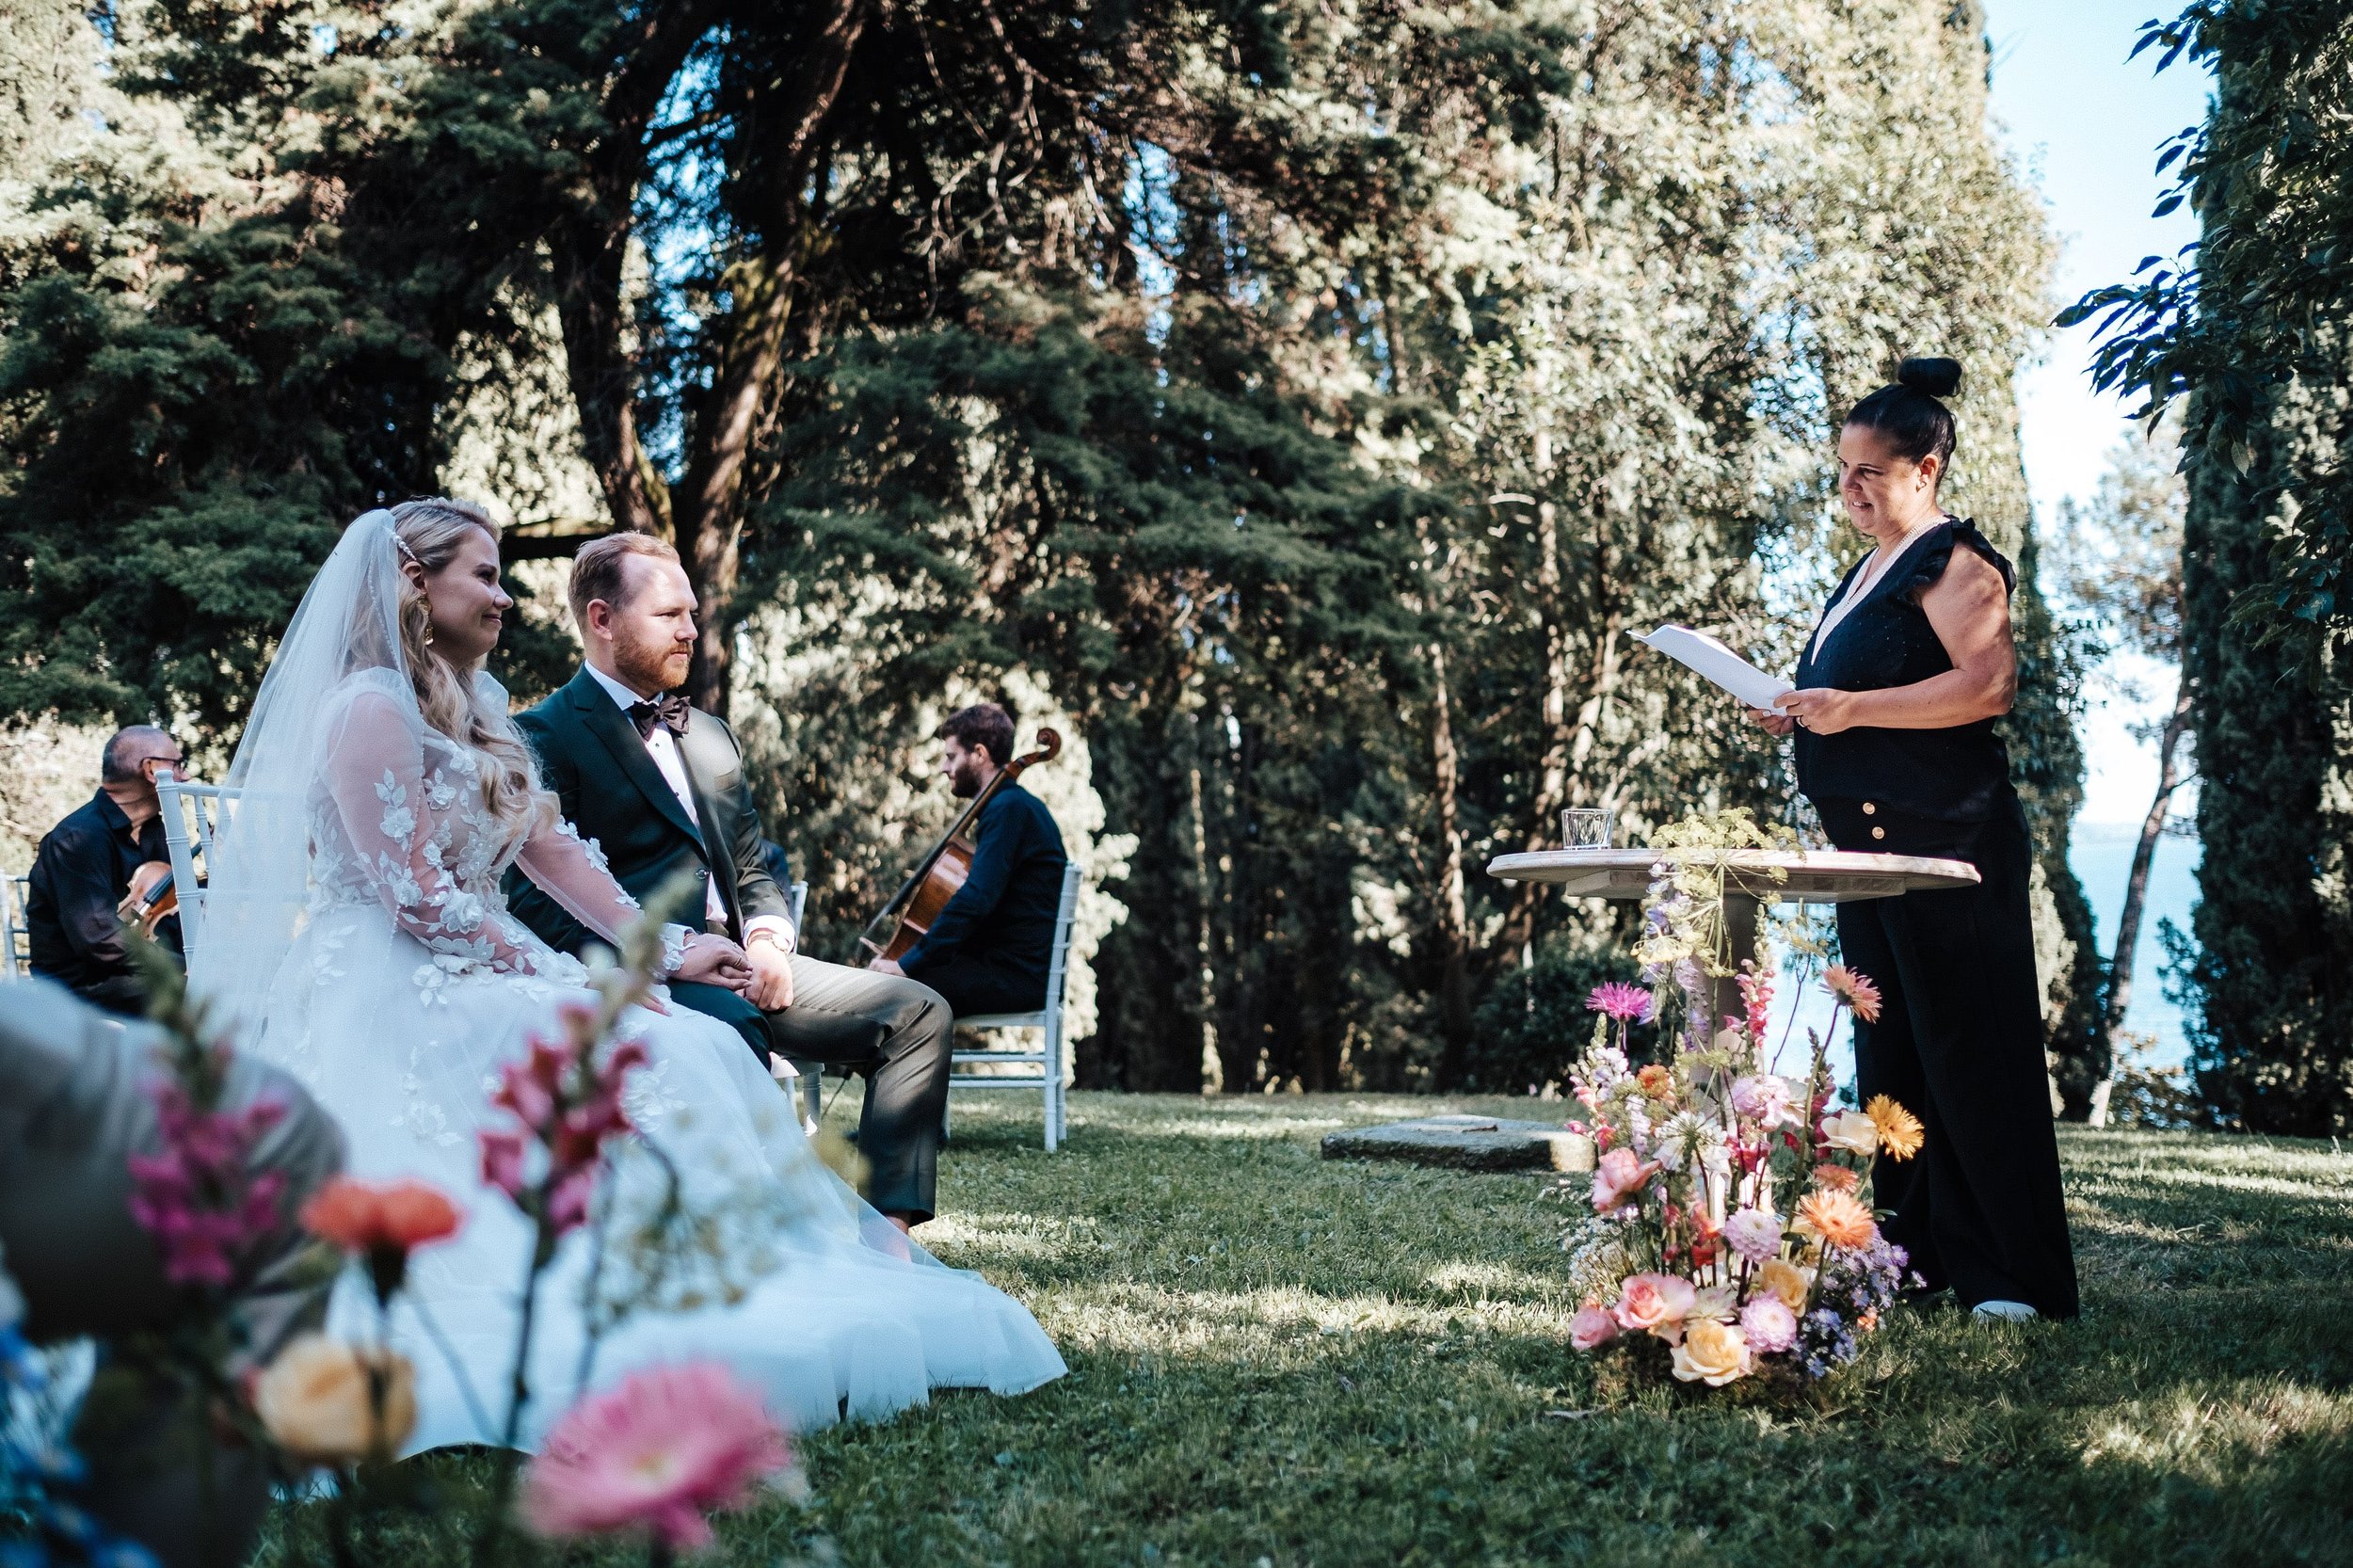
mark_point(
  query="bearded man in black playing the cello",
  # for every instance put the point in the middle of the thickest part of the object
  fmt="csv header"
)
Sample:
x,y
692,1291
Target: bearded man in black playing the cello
x,y
989,950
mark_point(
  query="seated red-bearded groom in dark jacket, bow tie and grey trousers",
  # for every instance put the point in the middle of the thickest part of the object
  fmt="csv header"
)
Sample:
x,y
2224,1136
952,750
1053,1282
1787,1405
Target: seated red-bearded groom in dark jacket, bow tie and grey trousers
x,y
660,785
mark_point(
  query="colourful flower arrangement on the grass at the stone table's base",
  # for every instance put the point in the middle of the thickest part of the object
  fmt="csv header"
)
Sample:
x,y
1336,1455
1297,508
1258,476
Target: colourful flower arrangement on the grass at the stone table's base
x,y
1728,1221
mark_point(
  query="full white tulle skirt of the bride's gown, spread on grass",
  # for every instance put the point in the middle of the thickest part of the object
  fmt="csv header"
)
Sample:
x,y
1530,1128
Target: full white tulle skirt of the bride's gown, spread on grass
x,y
775,1270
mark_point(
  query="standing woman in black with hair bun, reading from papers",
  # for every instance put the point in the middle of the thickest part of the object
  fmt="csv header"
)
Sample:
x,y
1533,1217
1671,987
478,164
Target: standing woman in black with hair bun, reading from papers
x,y
1898,750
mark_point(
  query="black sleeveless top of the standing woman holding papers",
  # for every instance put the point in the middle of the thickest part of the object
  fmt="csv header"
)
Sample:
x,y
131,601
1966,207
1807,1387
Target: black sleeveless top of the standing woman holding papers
x,y
1954,776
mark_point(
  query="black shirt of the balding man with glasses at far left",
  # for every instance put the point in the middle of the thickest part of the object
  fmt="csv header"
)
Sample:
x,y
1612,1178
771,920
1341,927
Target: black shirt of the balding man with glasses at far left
x,y
79,879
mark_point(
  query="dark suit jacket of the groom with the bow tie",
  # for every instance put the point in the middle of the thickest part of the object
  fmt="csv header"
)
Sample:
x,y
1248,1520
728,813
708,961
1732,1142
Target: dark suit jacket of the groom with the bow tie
x,y
611,790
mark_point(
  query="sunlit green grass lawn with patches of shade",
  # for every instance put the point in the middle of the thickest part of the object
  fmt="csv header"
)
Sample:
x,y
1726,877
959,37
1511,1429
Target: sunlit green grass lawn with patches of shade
x,y
1279,1360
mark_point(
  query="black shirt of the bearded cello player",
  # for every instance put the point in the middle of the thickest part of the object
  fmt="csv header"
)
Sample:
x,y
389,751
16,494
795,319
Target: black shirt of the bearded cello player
x,y
1006,910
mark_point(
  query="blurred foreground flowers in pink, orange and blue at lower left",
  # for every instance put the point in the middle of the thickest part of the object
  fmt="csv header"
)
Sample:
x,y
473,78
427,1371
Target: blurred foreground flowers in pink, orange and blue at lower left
x,y
648,1459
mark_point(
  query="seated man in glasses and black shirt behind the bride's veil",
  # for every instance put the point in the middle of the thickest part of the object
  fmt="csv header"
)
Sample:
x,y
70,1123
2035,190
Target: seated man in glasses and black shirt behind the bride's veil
x,y
86,870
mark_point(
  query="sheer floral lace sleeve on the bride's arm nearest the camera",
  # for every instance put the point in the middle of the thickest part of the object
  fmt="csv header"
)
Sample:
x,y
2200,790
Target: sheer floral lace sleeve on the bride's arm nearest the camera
x,y
378,780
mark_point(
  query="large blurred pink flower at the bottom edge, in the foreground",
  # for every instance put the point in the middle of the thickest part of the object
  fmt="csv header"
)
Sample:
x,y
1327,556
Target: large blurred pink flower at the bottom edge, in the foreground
x,y
653,1456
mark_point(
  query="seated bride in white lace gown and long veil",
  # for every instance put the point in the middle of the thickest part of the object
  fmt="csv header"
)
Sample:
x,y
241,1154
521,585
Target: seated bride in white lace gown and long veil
x,y
356,936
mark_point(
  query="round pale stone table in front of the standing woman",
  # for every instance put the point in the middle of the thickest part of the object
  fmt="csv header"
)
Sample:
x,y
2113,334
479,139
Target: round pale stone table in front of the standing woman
x,y
1808,877
